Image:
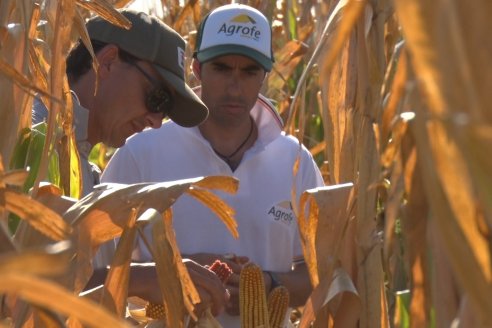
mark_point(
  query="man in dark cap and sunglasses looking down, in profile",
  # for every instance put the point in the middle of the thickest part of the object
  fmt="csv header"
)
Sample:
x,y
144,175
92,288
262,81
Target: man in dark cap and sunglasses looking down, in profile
x,y
139,82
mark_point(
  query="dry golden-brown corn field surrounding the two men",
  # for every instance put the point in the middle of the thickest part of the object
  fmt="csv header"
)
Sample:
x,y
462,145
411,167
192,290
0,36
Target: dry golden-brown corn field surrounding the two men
x,y
391,98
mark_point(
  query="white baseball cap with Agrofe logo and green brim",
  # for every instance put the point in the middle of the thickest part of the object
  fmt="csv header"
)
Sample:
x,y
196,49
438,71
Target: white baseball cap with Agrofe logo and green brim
x,y
235,29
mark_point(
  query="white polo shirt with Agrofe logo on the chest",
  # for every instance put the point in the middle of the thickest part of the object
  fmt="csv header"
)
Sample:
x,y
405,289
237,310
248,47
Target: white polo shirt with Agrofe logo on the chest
x,y
267,227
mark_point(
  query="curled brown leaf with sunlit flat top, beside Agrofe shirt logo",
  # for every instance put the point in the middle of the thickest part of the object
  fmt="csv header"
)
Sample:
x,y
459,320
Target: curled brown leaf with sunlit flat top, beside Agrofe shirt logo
x,y
327,240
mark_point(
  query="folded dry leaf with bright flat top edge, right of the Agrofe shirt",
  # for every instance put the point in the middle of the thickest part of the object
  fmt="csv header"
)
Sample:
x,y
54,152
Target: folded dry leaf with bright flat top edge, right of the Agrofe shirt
x,y
333,243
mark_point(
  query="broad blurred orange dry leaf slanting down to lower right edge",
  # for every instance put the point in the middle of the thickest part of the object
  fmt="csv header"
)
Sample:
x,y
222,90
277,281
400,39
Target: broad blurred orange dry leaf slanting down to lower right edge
x,y
450,200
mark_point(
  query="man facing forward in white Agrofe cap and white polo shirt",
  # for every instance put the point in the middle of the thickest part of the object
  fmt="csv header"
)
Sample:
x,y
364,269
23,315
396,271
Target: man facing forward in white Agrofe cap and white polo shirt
x,y
242,137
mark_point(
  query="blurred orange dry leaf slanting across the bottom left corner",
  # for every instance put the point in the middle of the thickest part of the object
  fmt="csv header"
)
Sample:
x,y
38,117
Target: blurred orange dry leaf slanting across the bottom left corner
x,y
42,293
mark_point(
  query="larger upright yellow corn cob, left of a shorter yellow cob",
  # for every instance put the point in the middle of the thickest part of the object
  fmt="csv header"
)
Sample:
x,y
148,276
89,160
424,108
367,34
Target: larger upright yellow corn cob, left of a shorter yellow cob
x,y
252,298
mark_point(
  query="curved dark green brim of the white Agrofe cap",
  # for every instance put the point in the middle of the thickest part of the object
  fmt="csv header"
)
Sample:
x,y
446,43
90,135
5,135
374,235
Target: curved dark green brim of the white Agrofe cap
x,y
233,49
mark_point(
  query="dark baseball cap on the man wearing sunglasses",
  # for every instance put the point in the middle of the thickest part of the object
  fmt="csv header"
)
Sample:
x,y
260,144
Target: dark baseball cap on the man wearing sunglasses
x,y
152,40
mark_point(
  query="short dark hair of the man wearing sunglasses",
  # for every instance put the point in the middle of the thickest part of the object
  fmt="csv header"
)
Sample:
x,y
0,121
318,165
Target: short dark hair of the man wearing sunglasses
x,y
79,60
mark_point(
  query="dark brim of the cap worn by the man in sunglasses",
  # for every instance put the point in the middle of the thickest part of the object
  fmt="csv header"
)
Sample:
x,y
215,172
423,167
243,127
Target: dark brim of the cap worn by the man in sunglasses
x,y
188,109
